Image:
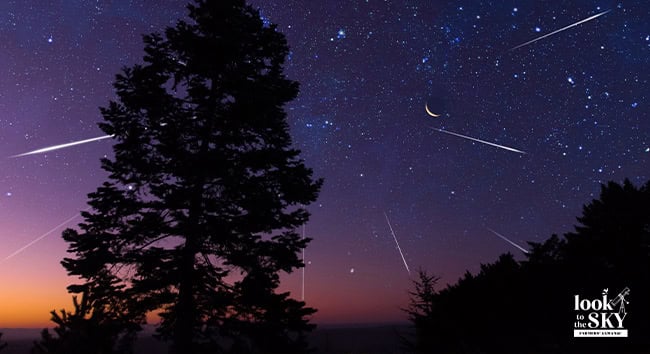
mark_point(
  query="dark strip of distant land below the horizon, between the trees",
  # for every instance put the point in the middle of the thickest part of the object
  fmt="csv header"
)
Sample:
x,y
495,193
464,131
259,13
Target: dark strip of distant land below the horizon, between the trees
x,y
325,339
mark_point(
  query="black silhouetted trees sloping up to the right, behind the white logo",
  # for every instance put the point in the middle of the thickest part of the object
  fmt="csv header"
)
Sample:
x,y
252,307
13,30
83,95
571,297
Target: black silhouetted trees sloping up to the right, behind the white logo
x,y
528,306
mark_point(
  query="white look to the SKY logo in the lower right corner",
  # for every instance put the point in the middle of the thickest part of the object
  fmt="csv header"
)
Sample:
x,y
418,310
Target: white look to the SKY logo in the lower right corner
x,y
601,317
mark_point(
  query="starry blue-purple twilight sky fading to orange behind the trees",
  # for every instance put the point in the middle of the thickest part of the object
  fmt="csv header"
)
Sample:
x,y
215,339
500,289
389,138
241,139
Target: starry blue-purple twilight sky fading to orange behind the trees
x,y
575,102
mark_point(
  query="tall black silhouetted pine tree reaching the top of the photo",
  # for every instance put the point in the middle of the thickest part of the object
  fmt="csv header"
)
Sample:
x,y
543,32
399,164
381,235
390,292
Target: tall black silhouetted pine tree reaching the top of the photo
x,y
198,216
